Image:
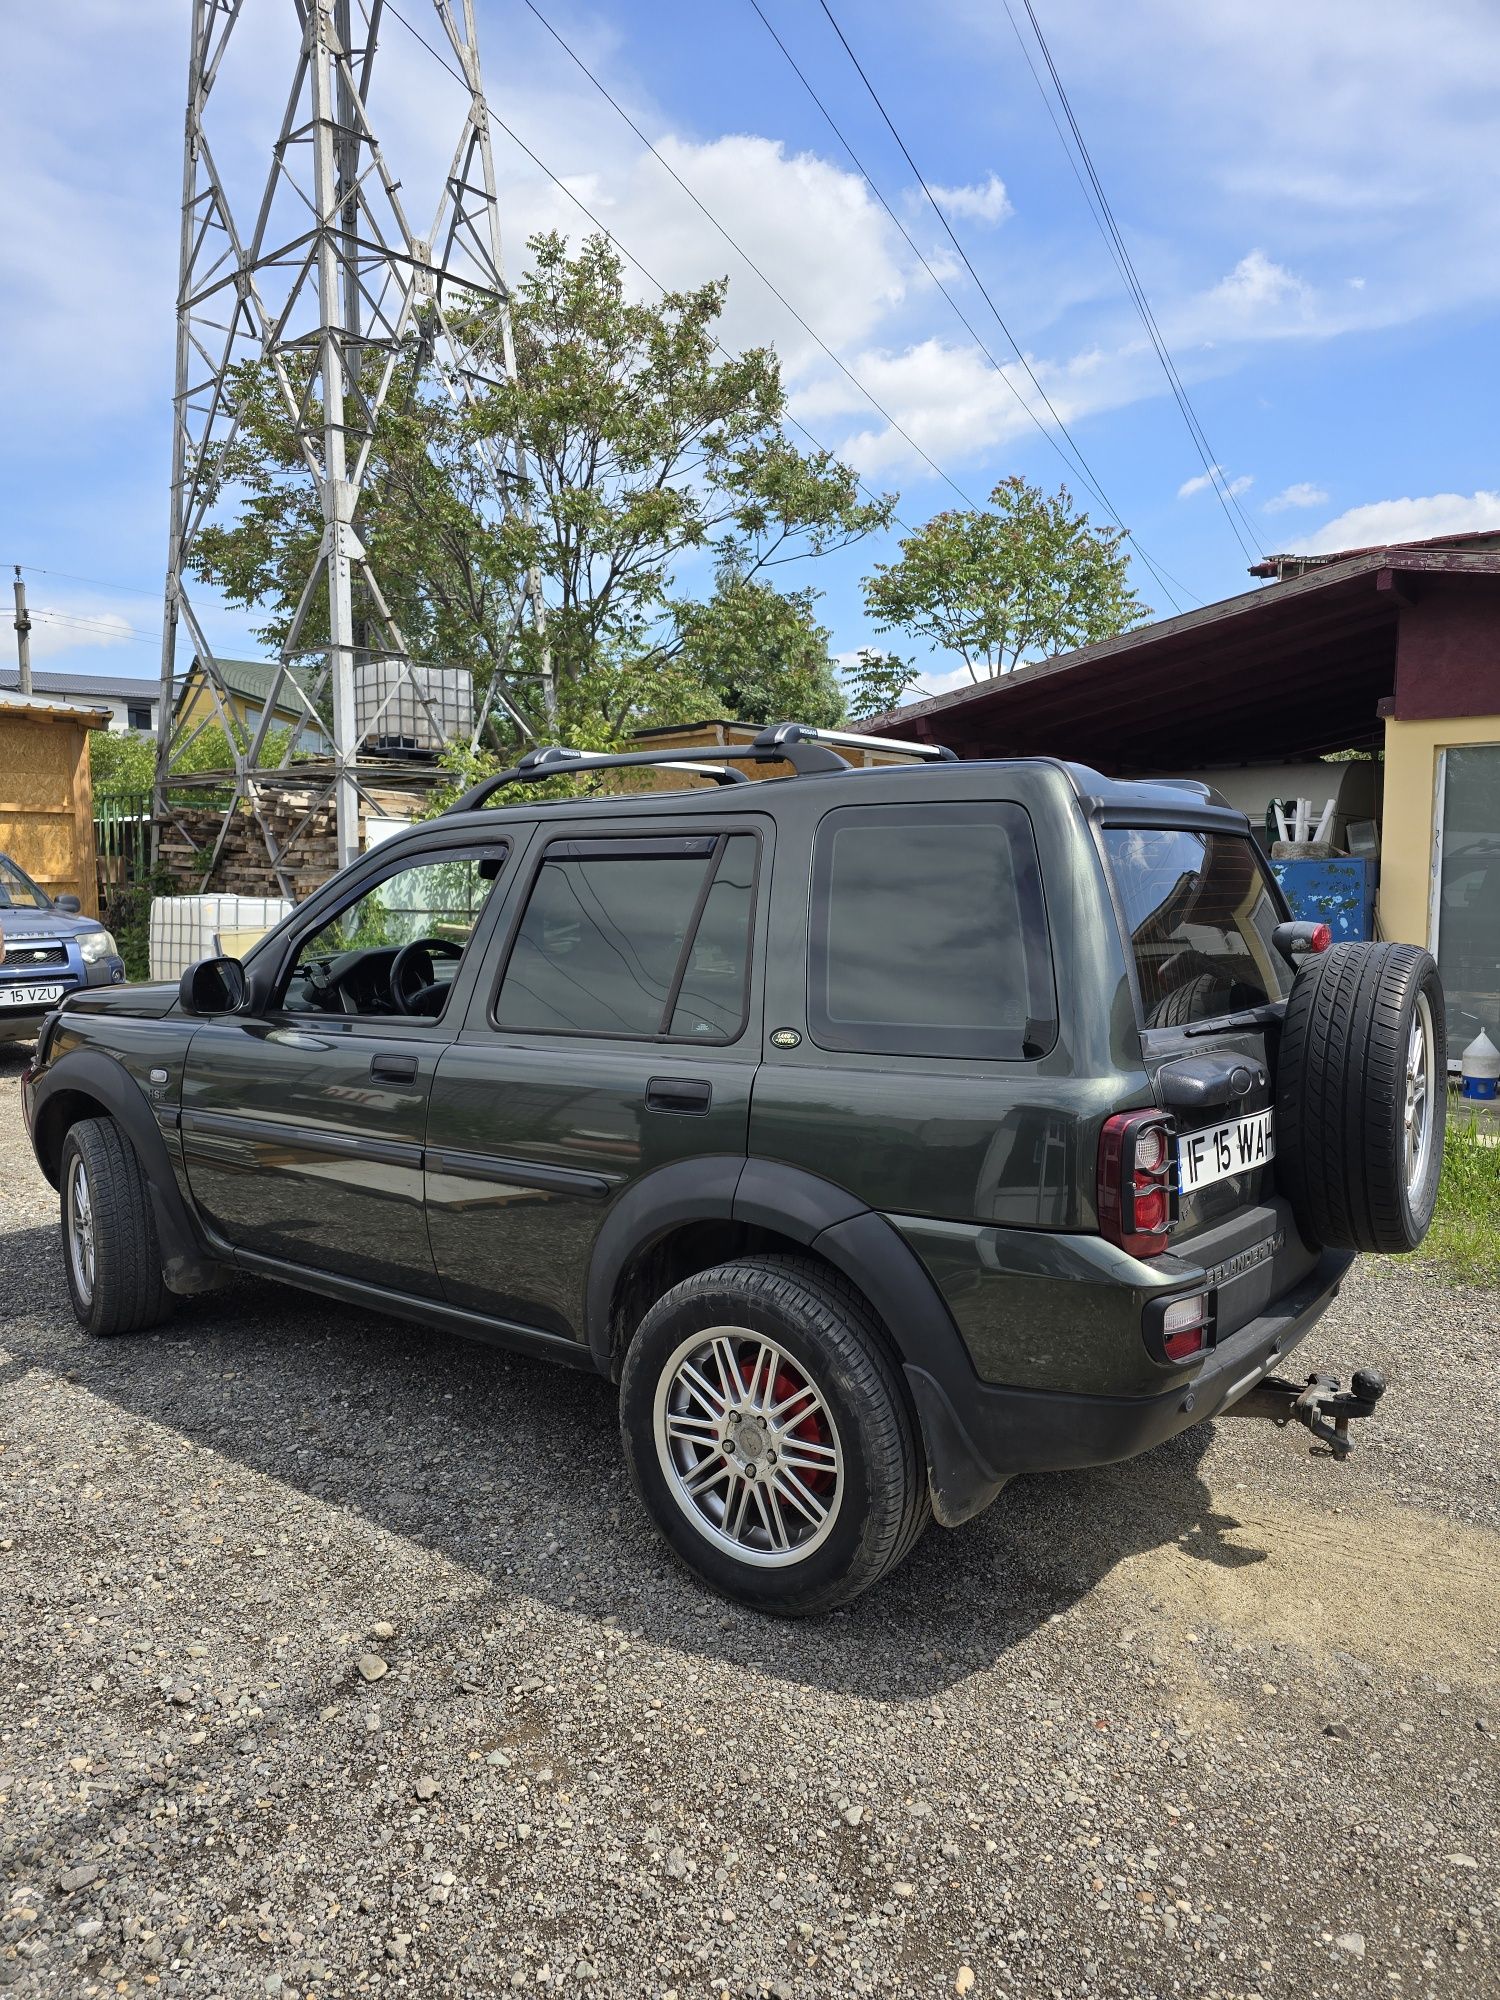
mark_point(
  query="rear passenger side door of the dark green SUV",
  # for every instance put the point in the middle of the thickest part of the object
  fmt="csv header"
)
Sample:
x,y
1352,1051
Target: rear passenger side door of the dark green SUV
x,y
619,1037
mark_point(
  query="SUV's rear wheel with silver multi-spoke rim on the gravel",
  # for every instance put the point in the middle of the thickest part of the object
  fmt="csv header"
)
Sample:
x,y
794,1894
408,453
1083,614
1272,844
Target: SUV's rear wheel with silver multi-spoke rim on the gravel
x,y
795,1329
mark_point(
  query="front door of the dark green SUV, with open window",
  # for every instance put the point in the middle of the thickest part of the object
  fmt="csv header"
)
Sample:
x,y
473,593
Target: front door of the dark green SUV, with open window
x,y
303,1129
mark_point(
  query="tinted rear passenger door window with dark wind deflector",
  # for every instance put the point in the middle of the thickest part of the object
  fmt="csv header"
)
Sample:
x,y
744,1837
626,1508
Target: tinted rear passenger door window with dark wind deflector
x,y
647,939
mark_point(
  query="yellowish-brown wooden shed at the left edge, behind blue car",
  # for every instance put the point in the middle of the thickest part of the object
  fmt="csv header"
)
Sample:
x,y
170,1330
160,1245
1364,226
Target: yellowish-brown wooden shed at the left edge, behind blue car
x,y
47,797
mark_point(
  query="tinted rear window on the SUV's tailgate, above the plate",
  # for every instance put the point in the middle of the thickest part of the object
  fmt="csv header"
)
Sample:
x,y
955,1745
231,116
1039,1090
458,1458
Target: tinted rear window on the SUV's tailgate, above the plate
x,y
1201,915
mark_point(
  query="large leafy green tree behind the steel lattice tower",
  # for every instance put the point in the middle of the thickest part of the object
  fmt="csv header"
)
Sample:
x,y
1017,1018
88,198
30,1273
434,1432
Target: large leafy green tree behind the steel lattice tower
x,y
645,447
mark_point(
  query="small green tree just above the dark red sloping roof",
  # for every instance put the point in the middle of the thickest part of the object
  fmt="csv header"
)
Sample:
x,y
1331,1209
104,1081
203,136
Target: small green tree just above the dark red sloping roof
x,y
1025,577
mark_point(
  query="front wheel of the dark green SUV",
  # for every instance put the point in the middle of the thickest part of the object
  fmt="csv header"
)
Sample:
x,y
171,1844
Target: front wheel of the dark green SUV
x,y
109,1233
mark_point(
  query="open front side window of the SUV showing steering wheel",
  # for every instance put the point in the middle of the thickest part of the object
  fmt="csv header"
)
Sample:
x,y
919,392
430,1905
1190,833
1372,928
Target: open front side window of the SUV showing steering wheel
x,y
397,947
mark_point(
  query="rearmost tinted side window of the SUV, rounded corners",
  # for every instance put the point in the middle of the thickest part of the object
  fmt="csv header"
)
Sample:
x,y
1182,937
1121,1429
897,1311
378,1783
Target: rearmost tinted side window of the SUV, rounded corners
x,y
929,933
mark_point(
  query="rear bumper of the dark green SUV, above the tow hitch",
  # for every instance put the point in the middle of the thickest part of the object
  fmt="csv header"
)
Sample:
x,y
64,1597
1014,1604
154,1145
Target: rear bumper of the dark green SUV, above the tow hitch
x,y
999,1433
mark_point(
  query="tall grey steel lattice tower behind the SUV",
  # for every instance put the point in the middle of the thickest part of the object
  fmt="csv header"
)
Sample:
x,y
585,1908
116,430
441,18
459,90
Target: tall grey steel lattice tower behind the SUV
x,y
327,285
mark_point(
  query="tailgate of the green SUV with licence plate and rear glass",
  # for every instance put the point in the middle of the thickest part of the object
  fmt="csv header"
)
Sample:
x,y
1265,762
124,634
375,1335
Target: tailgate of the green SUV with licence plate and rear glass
x,y
1199,909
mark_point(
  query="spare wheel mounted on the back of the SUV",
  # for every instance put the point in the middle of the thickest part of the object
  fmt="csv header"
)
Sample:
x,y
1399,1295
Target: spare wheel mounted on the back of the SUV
x,y
1363,1097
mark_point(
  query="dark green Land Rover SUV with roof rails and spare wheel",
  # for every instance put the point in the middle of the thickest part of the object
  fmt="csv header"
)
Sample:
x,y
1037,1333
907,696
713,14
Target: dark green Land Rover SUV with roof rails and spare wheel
x,y
881,1133
